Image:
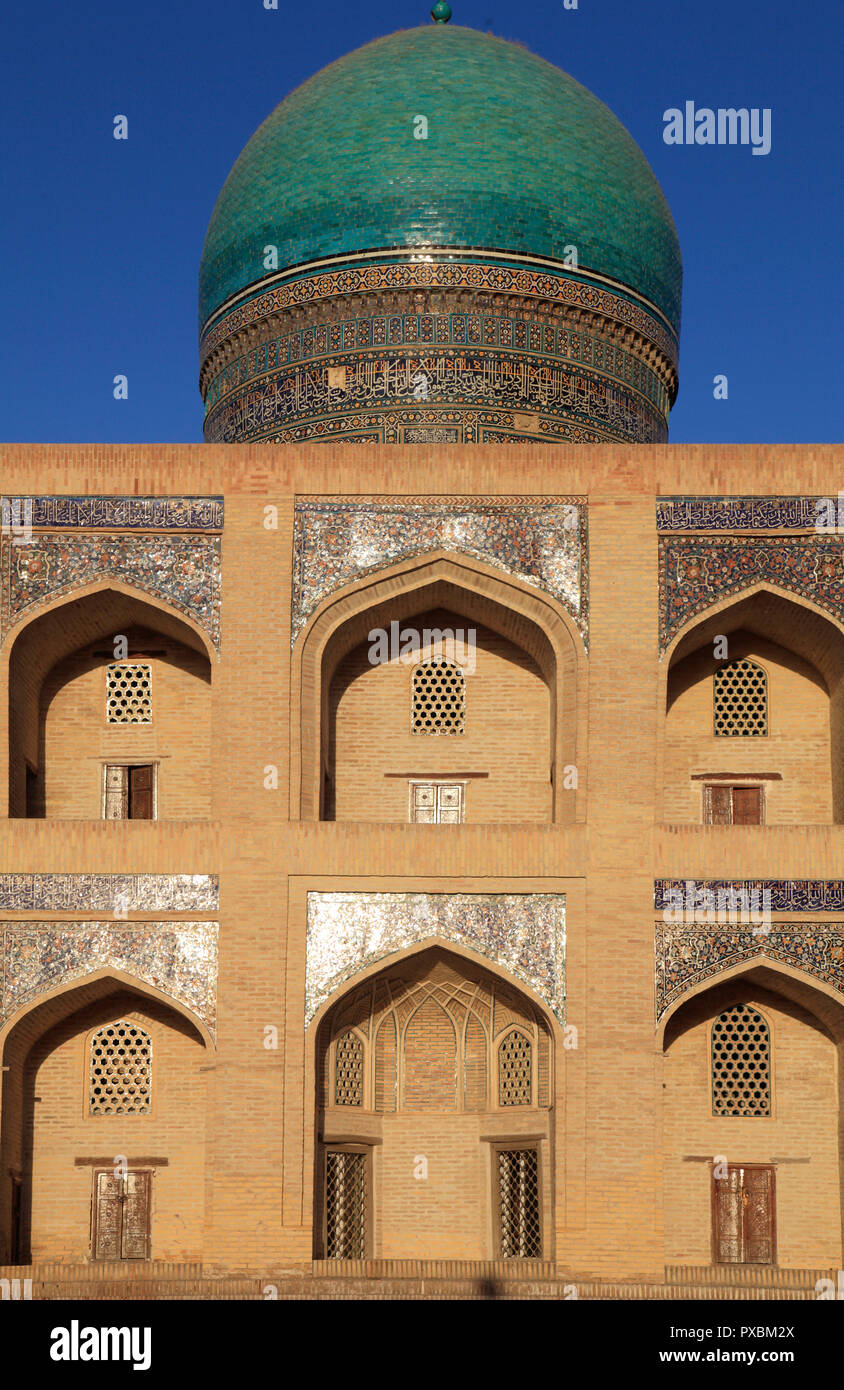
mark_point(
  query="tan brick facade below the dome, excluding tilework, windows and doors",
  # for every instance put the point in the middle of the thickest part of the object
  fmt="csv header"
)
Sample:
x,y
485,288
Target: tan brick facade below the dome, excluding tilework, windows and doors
x,y
248,743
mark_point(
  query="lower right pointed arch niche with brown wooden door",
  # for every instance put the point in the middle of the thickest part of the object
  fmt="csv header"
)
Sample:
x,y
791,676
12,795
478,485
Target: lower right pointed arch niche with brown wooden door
x,y
796,1142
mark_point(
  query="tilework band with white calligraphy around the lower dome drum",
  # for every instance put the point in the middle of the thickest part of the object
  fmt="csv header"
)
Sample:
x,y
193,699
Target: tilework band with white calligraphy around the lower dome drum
x,y
380,383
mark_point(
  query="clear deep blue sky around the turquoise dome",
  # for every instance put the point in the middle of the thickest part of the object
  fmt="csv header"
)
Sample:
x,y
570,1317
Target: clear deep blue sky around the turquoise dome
x,y
101,240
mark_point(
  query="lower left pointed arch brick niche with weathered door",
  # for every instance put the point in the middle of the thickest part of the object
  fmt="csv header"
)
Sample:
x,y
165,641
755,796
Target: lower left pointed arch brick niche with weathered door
x,y
54,1140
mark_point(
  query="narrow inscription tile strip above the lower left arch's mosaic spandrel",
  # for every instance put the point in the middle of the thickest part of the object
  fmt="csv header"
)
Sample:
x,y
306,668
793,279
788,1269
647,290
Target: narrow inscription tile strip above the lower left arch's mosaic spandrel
x,y
105,892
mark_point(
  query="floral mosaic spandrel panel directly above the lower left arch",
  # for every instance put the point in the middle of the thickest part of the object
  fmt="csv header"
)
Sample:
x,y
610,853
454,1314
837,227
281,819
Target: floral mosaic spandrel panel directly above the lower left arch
x,y
180,958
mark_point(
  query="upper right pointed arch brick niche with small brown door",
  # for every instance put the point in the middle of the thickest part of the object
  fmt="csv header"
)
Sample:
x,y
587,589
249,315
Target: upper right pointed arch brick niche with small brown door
x,y
793,749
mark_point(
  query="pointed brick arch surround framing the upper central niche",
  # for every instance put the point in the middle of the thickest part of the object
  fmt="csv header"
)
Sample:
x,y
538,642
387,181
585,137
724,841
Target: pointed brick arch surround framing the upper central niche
x,y
440,580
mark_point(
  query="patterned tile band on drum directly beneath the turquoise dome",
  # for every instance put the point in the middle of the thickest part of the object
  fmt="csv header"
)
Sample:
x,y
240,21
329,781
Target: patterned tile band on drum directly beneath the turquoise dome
x,y
496,279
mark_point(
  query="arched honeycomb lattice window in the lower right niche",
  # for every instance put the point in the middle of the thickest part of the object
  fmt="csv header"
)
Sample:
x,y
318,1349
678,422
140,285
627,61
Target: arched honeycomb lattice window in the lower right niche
x,y
740,1063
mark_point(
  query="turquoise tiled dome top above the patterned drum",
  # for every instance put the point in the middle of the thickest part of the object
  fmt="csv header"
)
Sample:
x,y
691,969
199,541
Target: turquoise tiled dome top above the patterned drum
x,y
519,158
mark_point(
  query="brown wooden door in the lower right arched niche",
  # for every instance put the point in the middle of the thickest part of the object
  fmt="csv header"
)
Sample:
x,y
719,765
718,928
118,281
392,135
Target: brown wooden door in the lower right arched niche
x,y
743,1211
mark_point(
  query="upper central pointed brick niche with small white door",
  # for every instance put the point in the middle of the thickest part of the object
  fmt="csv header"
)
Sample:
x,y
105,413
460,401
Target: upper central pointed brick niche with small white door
x,y
525,746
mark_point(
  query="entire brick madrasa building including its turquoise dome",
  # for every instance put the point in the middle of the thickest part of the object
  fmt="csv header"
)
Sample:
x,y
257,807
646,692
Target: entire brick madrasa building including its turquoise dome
x,y
419,843
